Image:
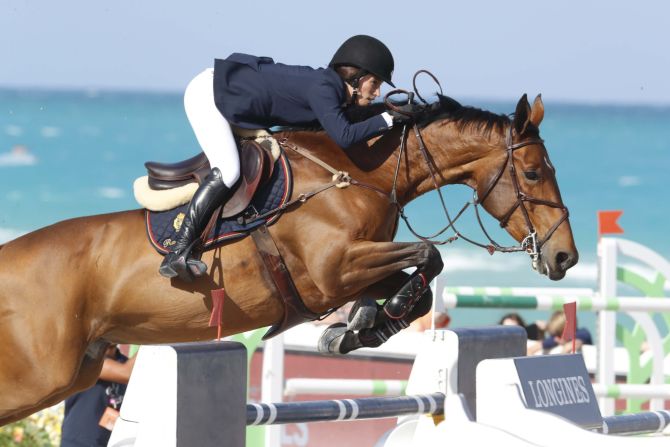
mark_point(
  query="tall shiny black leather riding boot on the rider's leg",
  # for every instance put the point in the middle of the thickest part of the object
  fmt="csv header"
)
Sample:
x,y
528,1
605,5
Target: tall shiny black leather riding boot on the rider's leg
x,y
211,194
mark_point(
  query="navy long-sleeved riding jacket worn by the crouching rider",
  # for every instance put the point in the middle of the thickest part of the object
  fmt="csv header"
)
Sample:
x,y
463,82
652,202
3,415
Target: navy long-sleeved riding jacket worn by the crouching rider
x,y
255,92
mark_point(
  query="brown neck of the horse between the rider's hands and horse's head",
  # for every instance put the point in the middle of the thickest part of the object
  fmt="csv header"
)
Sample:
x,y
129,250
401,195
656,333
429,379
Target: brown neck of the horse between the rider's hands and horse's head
x,y
457,157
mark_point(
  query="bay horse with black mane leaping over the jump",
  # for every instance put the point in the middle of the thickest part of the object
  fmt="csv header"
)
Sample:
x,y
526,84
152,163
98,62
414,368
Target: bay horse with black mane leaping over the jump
x,y
69,290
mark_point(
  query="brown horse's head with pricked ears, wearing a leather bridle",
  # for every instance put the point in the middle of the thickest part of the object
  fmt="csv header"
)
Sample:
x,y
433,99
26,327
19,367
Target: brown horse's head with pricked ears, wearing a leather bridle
x,y
517,185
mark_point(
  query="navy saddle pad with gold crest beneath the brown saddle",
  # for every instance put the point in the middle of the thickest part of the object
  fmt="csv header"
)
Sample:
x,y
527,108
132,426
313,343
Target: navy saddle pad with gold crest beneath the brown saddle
x,y
162,226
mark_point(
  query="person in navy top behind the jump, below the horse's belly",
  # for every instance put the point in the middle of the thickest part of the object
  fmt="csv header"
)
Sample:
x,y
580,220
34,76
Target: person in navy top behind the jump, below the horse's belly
x,y
90,414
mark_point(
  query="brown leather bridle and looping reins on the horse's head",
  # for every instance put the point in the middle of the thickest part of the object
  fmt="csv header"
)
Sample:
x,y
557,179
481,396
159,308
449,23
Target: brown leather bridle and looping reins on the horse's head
x,y
530,244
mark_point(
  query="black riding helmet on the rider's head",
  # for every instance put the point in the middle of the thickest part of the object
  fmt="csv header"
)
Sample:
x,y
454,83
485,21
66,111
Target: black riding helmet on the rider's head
x,y
368,54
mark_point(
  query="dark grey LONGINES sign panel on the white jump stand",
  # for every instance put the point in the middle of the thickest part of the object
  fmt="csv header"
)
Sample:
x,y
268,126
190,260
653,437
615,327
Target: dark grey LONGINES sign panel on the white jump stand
x,y
559,384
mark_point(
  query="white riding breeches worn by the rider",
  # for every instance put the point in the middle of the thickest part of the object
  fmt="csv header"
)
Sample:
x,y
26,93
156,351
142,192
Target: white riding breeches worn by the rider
x,y
211,129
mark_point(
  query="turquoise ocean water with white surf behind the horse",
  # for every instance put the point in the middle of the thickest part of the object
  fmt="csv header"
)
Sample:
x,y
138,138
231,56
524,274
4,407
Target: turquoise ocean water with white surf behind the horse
x,y
73,153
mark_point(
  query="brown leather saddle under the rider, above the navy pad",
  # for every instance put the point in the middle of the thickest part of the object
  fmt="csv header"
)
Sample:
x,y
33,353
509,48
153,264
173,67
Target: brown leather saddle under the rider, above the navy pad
x,y
256,167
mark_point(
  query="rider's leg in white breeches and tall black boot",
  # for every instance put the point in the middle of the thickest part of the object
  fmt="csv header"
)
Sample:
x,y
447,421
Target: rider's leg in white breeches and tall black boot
x,y
216,139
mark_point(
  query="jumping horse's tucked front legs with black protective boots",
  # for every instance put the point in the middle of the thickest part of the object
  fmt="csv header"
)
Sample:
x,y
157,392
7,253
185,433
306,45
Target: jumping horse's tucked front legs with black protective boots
x,y
409,296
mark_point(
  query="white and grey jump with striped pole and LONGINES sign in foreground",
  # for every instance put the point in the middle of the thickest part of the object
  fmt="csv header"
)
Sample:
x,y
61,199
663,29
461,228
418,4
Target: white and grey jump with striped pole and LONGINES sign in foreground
x,y
479,379
